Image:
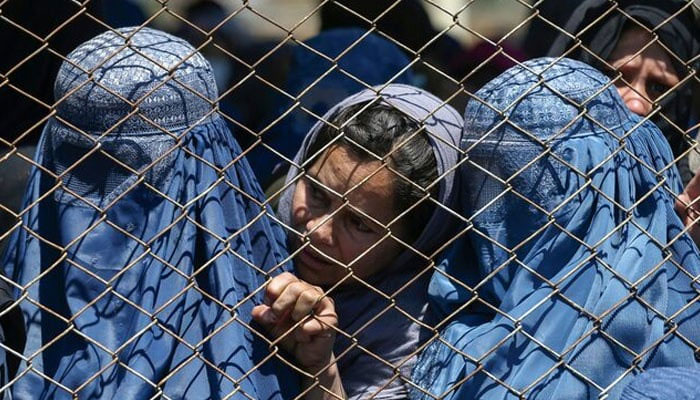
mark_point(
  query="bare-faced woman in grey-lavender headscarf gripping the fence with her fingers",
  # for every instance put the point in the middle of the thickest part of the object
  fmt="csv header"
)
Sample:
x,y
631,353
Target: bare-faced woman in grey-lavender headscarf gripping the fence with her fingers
x,y
367,202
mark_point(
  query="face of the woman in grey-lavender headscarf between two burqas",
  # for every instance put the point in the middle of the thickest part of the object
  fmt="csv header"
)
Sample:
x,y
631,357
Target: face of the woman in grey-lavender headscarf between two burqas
x,y
328,207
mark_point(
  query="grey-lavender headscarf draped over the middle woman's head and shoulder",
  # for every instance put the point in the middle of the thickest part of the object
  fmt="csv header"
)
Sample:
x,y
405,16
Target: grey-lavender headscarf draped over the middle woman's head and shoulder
x,y
392,336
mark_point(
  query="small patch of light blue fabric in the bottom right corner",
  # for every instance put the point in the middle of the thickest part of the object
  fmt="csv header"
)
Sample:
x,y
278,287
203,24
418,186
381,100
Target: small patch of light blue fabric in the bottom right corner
x,y
664,384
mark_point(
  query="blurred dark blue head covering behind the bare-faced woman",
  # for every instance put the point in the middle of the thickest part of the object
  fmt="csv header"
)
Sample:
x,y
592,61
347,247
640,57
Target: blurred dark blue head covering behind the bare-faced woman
x,y
323,71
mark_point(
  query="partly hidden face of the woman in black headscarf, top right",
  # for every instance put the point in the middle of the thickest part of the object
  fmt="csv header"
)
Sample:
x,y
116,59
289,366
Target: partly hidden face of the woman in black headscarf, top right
x,y
646,75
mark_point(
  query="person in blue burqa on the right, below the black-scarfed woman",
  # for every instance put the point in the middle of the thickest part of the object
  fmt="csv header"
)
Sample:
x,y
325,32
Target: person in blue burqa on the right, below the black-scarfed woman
x,y
576,272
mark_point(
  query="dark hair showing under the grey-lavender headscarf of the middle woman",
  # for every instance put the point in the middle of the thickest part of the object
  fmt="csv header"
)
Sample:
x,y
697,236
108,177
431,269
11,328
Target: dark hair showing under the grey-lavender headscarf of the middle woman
x,y
380,131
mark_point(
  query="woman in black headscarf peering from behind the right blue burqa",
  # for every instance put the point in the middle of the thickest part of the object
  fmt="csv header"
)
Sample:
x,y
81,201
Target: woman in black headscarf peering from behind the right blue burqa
x,y
650,48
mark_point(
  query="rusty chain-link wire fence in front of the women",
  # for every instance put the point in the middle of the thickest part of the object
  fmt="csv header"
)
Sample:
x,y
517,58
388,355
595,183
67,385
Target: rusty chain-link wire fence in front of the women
x,y
417,60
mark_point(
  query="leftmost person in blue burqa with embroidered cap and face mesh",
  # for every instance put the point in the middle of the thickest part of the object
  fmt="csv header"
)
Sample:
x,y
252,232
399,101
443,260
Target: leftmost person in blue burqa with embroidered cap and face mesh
x,y
144,243
